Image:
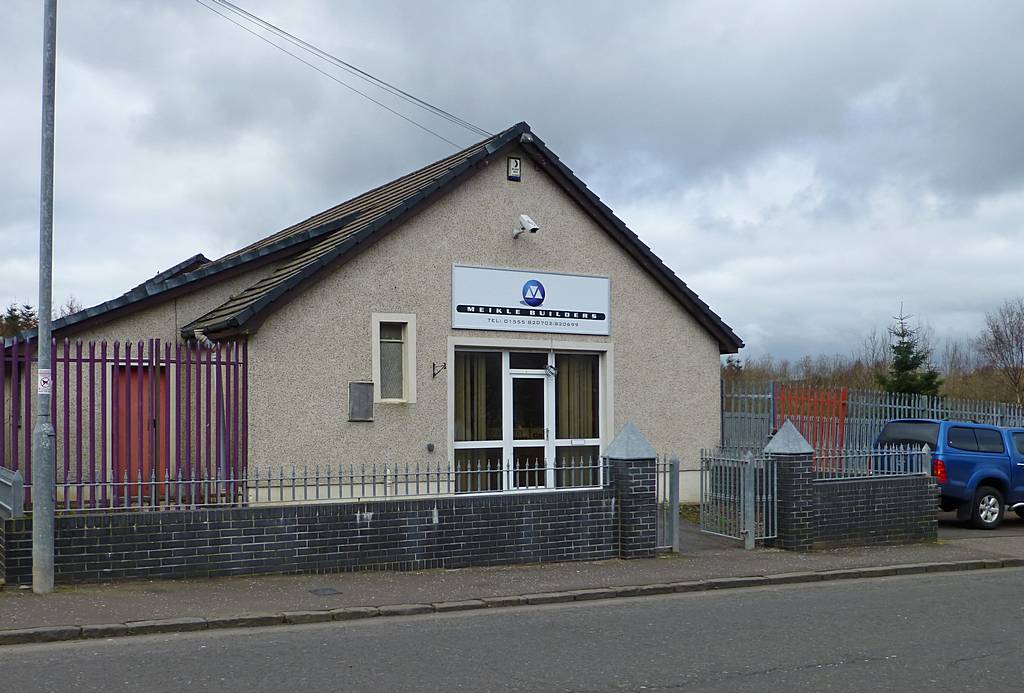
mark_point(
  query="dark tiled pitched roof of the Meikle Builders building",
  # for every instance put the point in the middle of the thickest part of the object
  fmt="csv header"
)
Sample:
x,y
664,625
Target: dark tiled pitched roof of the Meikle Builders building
x,y
314,244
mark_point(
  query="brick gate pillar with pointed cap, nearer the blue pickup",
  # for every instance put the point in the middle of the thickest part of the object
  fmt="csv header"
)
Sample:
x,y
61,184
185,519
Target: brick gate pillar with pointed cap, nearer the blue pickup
x,y
797,514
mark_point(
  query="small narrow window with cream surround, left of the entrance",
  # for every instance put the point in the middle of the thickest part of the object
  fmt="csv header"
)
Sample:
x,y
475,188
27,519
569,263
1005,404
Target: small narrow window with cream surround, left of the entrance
x,y
394,341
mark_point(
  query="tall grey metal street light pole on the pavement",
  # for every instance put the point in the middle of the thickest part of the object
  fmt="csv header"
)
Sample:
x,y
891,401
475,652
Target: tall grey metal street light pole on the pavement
x,y
42,435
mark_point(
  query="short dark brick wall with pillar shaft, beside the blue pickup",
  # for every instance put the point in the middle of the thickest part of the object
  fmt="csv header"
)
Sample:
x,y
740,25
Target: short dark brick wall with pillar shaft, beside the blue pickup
x,y
833,514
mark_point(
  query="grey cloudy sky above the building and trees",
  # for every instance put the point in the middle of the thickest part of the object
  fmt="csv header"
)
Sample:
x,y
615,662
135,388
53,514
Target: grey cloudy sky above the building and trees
x,y
804,166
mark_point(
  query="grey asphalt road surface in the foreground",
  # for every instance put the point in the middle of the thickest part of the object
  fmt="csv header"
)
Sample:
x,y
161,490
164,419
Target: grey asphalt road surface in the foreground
x,y
945,632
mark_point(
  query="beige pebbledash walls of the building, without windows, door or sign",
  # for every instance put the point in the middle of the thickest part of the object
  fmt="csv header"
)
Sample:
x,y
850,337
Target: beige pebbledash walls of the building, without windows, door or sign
x,y
663,367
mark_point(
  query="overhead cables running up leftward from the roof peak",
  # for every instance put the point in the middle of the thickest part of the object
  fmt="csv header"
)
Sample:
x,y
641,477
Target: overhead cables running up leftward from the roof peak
x,y
338,63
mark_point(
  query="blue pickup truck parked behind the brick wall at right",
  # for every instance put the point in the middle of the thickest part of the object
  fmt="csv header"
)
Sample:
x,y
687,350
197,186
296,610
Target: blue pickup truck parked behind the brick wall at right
x,y
979,468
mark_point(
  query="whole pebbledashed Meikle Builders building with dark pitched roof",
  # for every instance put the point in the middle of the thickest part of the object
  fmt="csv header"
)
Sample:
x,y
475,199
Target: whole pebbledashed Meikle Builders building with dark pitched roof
x,y
431,322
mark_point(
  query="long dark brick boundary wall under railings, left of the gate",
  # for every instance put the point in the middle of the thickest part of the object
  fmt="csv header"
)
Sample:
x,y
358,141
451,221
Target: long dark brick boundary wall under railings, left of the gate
x,y
446,533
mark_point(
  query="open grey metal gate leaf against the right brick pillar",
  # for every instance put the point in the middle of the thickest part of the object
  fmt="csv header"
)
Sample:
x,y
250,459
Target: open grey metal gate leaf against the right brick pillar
x,y
739,496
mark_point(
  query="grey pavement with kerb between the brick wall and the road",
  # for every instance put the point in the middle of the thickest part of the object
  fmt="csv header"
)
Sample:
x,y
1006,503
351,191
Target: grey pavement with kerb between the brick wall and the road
x,y
704,559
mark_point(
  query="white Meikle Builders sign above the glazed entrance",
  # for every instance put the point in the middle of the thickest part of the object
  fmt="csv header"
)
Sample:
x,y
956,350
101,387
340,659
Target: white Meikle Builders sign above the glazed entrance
x,y
515,300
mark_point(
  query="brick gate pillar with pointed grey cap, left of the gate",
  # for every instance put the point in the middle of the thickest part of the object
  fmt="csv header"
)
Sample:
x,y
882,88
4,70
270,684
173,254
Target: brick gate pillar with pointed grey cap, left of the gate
x,y
634,466
